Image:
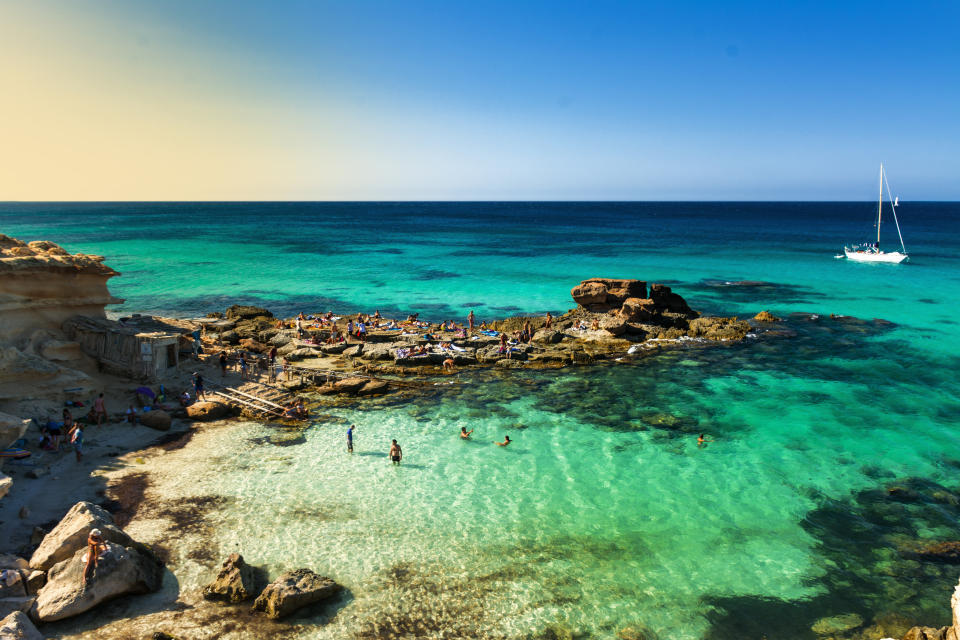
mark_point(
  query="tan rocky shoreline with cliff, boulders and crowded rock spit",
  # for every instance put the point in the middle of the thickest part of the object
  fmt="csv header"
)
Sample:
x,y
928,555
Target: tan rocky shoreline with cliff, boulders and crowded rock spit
x,y
45,365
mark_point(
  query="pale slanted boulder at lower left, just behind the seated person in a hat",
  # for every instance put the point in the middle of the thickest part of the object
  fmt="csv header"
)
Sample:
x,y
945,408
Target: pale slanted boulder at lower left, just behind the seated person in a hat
x,y
71,533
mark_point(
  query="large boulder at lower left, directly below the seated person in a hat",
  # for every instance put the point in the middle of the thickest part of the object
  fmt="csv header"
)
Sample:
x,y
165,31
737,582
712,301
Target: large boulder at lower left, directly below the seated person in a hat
x,y
120,571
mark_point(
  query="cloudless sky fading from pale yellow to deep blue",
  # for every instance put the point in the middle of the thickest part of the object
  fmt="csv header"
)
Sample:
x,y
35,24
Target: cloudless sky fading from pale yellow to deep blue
x,y
479,100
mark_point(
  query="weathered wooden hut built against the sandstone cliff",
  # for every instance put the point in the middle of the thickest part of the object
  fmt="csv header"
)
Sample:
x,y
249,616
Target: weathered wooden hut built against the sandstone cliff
x,y
141,347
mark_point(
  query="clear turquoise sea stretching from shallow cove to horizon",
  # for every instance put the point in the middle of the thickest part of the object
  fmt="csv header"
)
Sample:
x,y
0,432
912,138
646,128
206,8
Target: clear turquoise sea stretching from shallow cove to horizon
x,y
834,463
